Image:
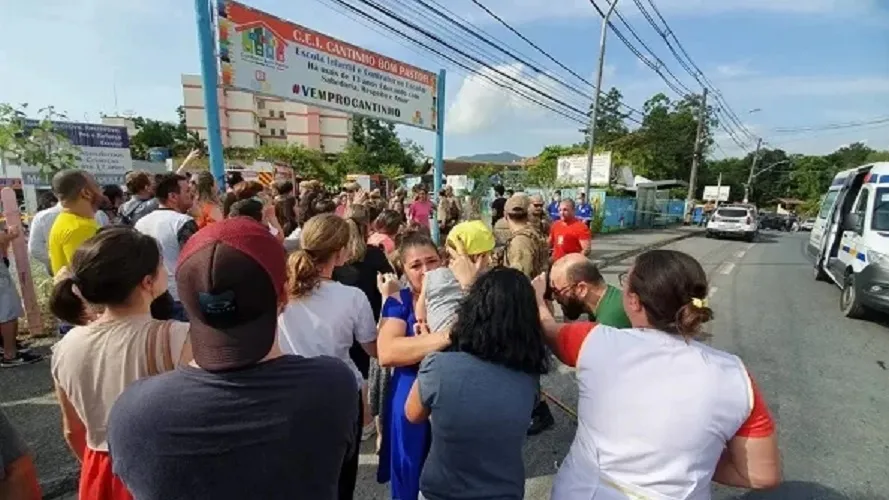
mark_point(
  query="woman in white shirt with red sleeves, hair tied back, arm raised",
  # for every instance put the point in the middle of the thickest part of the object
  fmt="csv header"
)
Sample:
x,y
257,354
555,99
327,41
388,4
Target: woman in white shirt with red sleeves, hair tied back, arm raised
x,y
660,414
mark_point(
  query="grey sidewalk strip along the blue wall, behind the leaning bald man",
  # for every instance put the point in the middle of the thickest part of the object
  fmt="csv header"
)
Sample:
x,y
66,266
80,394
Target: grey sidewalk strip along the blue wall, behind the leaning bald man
x,y
608,249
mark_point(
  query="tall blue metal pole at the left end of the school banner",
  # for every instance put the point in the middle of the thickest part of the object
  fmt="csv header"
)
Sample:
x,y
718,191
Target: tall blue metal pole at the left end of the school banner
x,y
210,79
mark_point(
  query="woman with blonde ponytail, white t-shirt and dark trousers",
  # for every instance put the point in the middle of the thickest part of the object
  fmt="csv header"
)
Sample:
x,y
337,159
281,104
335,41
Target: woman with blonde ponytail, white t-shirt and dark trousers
x,y
323,317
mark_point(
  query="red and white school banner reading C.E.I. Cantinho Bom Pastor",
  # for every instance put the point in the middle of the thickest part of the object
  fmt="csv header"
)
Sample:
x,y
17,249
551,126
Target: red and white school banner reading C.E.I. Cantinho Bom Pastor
x,y
263,54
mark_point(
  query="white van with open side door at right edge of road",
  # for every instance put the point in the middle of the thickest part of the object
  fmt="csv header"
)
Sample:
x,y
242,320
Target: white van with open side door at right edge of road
x,y
849,242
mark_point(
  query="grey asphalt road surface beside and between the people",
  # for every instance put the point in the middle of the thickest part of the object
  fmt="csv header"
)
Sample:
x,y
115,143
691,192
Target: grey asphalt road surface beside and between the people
x,y
824,377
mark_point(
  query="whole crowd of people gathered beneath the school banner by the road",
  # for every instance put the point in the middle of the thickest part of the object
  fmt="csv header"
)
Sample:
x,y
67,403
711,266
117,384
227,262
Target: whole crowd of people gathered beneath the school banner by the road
x,y
242,343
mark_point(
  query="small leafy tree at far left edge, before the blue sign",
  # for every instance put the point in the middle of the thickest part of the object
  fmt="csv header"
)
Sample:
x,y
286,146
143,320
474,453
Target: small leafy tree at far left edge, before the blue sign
x,y
38,145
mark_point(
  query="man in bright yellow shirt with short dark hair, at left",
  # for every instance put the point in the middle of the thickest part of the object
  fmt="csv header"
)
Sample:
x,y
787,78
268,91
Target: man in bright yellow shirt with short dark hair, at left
x,y
80,197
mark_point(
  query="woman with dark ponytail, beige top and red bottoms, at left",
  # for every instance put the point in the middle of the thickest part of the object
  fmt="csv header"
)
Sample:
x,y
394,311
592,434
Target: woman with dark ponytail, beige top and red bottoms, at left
x,y
121,271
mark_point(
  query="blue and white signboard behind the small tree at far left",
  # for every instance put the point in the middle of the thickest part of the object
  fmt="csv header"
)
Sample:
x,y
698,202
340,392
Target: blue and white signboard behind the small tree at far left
x,y
104,151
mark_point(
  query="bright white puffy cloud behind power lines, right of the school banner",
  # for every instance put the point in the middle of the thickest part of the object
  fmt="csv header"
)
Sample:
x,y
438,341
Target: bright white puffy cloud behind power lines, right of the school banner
x,y
481,105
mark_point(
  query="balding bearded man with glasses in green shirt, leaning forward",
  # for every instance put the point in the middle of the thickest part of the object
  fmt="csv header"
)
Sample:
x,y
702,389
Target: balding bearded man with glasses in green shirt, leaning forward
x,y
579,288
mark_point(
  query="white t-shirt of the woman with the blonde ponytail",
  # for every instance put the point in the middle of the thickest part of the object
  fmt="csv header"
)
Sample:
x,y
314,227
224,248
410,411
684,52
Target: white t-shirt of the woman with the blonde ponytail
x,y
326,322
